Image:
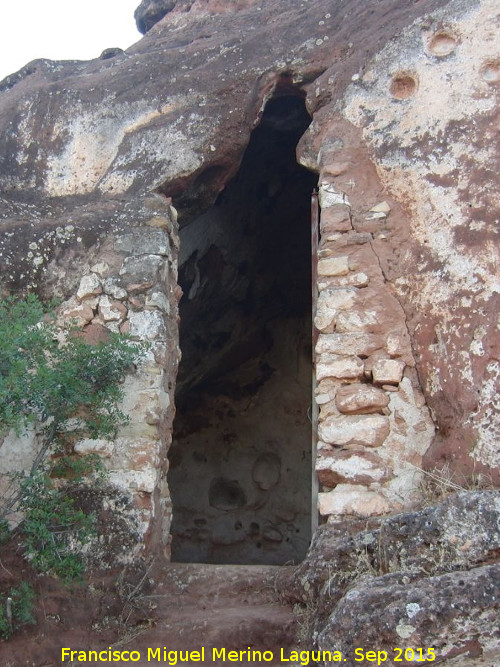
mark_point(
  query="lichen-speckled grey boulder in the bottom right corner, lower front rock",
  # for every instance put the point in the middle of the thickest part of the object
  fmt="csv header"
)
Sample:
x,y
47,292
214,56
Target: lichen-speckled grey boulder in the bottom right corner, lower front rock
x,y
453,617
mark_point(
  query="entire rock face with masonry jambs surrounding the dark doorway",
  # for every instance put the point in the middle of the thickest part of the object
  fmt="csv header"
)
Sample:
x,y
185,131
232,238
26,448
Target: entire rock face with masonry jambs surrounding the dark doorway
x,y
404,102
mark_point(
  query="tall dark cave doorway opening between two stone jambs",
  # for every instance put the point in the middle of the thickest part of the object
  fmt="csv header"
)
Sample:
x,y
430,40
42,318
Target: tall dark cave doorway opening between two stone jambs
x,y
240,462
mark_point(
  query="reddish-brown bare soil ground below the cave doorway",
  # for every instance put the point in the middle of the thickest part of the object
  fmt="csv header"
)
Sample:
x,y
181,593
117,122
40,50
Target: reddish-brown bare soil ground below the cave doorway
x,y
182,607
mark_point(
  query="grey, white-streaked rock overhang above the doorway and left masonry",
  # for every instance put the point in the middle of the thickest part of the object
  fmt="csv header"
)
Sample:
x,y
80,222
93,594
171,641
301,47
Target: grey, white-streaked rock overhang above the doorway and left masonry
x,y
170,103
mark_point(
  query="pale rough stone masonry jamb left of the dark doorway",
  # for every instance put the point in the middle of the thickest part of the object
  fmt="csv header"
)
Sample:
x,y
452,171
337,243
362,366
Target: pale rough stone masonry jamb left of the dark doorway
x,y
131,288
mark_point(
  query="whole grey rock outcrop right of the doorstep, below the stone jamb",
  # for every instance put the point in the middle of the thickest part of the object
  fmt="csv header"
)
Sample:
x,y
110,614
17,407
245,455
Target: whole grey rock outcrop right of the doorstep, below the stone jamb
x,y
423,579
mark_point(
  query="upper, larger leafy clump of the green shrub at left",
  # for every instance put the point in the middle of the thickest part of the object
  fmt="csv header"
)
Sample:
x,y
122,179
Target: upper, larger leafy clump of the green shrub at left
x,y
46,382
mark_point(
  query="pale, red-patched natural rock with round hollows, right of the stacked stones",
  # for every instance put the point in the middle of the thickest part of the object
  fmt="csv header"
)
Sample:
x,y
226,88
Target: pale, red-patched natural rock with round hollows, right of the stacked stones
x,y
427,107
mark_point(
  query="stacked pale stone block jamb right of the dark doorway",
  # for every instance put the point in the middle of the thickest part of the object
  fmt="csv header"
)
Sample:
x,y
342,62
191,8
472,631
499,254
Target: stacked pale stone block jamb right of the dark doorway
x,y
373,425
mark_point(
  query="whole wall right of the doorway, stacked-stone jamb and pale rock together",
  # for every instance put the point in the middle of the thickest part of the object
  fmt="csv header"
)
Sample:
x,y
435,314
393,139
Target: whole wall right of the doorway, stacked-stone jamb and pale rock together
x,y
400,249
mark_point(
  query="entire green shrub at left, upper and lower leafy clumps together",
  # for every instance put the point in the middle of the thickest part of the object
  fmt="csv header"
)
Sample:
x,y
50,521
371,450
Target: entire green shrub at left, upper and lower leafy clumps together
x,y
48,383
